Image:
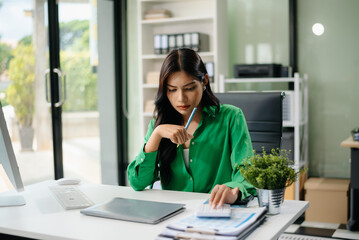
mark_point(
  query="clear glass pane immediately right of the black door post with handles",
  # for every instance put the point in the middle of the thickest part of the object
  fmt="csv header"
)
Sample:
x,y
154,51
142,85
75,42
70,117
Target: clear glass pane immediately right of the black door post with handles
x,y
80,116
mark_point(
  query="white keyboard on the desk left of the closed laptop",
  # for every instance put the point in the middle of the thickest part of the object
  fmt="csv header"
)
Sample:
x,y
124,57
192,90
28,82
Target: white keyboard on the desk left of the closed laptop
x,y
70,197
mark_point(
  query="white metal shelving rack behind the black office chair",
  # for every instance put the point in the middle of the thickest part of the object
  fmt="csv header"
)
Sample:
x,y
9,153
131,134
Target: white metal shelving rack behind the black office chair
x,y
295,118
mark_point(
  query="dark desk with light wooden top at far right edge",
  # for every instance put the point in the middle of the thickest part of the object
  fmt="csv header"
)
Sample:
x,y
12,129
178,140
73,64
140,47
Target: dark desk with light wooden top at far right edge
x,y
353,221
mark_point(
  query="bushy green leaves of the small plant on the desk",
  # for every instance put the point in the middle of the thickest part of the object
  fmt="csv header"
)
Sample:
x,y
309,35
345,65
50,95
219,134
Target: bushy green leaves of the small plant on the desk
x,y
270,171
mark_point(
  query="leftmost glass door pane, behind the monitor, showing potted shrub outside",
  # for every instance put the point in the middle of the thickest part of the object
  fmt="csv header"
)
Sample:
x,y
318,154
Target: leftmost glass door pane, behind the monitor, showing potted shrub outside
x,y
23,61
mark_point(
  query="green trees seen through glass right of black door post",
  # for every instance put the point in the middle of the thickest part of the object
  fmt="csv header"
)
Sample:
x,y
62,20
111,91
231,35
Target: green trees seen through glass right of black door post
x,y
81,82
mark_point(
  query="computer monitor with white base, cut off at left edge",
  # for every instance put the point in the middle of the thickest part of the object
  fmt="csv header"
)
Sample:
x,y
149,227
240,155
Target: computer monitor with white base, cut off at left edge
x,y
8,162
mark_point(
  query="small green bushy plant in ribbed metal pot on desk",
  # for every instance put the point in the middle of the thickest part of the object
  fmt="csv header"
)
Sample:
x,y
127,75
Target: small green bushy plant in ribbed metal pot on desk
x,y
270,174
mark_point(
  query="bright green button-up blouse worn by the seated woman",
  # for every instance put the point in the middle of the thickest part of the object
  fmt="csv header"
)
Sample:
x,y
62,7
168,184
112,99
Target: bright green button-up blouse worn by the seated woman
x,y
219,145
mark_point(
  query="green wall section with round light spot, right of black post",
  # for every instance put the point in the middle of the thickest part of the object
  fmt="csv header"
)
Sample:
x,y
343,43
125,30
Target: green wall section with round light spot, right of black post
x,y
332,63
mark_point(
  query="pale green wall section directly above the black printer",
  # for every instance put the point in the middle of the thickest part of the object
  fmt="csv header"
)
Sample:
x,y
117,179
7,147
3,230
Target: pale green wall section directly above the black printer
x,y
258,32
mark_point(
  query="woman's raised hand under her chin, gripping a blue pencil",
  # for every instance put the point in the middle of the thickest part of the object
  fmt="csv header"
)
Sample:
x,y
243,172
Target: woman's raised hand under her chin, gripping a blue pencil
x,y
177,134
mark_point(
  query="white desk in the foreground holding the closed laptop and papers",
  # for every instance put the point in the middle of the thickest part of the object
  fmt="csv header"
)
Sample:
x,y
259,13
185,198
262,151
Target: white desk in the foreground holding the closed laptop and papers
x,y
43,217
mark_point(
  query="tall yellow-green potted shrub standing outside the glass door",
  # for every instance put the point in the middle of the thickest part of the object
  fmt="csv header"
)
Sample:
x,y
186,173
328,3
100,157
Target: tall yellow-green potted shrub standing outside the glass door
x,y
20,93
